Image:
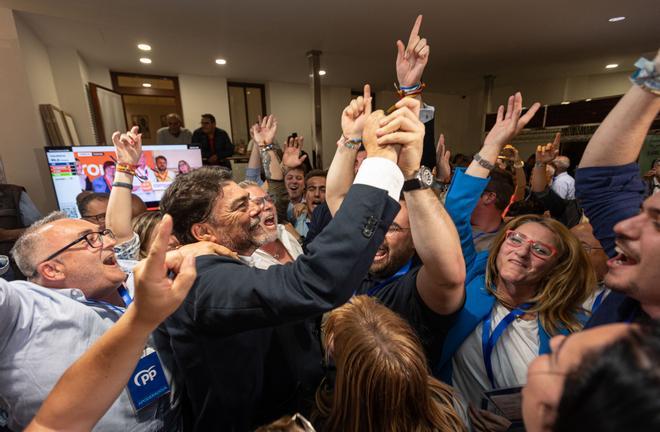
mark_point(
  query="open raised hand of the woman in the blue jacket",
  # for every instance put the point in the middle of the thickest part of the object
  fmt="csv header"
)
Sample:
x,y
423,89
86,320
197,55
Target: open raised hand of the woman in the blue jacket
x,y
509,123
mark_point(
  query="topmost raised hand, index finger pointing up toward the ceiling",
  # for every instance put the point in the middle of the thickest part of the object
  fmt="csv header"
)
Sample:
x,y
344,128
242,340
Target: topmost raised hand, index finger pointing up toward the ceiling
x,y
412,59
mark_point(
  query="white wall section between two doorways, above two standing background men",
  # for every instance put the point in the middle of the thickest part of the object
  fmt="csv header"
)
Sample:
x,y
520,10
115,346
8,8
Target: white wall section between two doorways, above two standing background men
x,y
203,94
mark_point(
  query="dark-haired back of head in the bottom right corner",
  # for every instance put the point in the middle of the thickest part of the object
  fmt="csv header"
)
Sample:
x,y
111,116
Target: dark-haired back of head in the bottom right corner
x,y
615,389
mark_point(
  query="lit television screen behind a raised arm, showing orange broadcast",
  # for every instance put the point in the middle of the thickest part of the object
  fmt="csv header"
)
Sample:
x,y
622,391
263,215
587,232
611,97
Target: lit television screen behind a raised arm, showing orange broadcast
x,y
77,169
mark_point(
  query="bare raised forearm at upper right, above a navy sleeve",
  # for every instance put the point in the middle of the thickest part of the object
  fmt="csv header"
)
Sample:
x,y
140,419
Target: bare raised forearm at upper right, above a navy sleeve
x,y
619,139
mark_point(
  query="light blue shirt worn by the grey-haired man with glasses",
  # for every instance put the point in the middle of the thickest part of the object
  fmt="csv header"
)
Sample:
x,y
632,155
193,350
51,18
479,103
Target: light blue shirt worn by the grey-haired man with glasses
x,y
42,332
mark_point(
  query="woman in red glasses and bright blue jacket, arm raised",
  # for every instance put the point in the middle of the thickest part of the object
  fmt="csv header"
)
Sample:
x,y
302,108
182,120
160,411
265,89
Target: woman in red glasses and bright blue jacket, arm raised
x,y
529,286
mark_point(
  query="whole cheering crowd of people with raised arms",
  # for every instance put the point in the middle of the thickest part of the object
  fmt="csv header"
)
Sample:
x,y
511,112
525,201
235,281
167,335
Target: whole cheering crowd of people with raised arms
x,y
379,295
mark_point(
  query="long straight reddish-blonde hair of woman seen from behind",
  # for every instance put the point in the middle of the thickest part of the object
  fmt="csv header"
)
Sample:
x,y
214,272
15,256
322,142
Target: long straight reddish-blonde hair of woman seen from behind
x,y
382,380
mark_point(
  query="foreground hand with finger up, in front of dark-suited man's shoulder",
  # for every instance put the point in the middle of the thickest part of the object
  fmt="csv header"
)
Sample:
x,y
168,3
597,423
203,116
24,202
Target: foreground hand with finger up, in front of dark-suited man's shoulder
x,y
157,296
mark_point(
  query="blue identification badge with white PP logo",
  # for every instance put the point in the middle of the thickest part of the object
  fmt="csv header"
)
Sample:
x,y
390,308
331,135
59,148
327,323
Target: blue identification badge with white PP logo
x,y
148,381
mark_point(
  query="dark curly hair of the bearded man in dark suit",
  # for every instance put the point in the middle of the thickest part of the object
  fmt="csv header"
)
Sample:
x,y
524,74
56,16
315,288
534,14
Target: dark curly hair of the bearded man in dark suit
x,y
191,197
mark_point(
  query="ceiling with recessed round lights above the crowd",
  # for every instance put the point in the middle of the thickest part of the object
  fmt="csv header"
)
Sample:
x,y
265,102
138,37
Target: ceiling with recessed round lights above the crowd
x,y
267,40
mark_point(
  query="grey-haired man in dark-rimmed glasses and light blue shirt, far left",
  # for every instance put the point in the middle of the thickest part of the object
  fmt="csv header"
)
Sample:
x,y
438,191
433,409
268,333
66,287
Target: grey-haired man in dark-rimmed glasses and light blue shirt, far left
x,y
74,293
